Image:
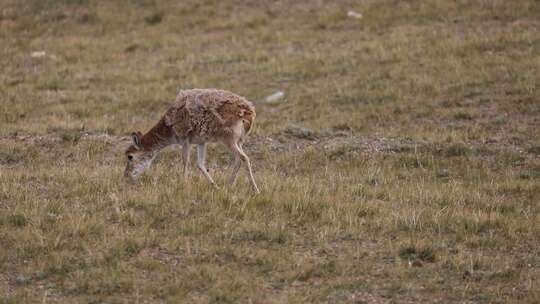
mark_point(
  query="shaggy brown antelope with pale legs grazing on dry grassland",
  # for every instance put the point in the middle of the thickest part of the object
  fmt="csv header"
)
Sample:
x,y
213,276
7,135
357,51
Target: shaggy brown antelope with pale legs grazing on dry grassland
x,y
198,116
